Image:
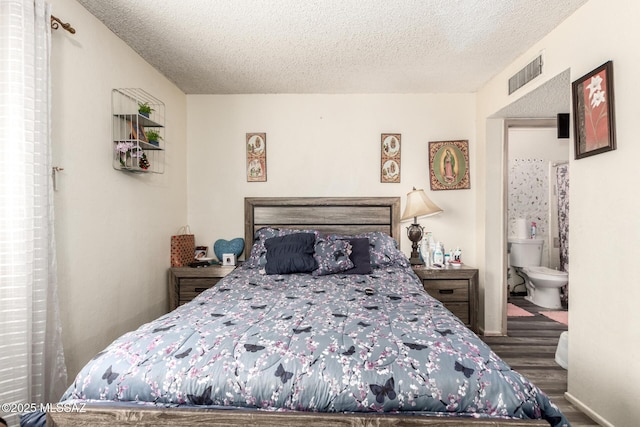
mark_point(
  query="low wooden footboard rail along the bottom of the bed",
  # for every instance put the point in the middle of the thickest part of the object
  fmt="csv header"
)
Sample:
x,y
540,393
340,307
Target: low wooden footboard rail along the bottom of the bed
x,y
152,417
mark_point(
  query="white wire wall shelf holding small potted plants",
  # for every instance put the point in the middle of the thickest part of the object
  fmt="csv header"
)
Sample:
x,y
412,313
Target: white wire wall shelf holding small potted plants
x,y
133,151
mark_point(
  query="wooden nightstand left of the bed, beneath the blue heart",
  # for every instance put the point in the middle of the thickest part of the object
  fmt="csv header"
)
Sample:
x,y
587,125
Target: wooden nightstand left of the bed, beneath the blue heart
x,y
186,283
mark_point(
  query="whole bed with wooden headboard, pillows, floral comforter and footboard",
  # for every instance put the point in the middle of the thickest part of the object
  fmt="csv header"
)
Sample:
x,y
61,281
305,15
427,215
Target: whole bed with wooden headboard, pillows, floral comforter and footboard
x,y
275,343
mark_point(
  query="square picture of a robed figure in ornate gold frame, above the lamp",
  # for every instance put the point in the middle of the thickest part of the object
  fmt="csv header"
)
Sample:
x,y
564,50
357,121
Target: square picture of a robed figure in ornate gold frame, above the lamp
x,y
449,165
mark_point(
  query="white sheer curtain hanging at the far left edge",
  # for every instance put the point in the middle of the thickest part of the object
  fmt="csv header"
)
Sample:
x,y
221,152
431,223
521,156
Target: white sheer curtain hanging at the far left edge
x,y
32,368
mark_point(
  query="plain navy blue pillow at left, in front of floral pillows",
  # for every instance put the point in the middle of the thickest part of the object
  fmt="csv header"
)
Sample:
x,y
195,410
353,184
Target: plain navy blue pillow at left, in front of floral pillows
x,y
292,253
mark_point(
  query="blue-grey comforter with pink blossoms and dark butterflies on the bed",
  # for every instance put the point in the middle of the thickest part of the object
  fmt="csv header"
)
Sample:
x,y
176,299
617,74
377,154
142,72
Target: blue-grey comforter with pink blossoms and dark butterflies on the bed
x,y
333,343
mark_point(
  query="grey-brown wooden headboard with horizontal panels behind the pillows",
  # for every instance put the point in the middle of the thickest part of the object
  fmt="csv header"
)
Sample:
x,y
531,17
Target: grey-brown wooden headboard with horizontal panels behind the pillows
x,y
341,215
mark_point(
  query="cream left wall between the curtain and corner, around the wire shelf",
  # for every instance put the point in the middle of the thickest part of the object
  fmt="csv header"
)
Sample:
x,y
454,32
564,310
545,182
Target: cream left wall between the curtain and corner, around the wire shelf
x,y
112,228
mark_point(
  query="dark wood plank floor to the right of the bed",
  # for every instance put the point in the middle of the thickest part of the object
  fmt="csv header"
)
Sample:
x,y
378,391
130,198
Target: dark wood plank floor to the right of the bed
x,y
530,349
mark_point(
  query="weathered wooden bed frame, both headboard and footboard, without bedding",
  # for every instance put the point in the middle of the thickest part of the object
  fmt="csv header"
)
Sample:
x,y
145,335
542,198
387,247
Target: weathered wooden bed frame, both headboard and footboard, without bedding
x,y
343,215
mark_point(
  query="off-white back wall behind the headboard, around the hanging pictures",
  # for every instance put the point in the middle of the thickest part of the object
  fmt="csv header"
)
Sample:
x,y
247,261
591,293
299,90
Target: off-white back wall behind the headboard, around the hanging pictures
x,y
324,145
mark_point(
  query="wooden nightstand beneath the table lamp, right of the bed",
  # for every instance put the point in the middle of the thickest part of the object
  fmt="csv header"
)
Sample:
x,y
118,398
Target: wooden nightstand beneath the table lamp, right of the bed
x,y
456,288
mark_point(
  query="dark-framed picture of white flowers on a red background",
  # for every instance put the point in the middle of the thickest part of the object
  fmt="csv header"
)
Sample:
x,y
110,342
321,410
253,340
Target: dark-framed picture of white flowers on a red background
x,y
593,114
